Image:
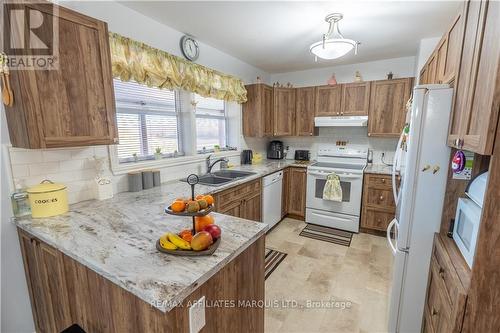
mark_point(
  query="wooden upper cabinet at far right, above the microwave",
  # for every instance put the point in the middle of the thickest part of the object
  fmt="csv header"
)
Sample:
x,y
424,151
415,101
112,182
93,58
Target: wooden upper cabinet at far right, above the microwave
x,y
474,119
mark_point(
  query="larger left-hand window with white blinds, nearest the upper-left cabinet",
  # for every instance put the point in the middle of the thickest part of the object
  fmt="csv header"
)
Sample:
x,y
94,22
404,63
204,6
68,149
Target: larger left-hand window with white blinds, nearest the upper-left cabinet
x,y
148,121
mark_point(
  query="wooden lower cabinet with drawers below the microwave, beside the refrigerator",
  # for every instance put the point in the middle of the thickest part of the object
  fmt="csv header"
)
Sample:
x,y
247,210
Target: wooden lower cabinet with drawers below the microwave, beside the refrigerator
x,y
446,293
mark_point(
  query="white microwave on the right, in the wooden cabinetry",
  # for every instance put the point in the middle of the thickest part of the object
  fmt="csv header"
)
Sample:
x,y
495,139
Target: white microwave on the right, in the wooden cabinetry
x,y
466,228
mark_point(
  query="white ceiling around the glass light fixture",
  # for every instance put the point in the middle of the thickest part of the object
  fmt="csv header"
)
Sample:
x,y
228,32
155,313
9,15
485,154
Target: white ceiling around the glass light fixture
x,y
275,36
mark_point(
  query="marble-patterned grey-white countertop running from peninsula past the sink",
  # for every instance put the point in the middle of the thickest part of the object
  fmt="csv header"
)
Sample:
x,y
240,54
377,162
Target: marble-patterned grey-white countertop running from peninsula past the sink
x,y
116,238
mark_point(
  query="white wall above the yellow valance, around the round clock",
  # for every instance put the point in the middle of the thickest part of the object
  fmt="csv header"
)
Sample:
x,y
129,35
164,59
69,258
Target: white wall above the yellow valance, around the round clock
x,y
132,24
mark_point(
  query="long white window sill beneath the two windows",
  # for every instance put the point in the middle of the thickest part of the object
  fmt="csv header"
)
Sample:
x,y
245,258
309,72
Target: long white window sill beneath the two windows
x,y
123,168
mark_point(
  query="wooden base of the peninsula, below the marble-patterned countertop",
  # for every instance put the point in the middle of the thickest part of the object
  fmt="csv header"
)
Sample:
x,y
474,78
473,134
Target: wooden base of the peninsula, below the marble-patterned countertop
x,y
64,292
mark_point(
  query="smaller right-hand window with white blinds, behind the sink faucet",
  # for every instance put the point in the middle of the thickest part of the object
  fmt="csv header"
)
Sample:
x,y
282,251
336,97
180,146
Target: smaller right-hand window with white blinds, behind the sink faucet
x,y
210,123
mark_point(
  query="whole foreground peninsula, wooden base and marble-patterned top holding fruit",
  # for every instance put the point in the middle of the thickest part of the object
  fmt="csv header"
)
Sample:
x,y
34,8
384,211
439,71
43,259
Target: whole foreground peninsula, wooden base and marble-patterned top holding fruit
x,y
97,266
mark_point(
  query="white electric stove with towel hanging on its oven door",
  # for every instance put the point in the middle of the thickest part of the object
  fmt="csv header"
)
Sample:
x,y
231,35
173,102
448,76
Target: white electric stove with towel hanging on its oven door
x,y
348,162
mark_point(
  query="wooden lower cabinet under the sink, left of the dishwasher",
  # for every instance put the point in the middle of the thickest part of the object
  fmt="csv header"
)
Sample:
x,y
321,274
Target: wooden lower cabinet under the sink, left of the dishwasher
x,y
243,201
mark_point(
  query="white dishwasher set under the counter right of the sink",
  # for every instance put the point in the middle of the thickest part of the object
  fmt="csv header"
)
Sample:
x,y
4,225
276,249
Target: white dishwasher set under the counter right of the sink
x,y
271,198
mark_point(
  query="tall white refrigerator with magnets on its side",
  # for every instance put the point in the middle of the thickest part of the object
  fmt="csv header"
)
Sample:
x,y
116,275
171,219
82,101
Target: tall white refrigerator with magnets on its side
x,y
423,166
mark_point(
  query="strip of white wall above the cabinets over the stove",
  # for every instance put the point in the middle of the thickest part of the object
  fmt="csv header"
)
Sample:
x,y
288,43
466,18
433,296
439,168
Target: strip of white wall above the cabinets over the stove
x,y
373,70
